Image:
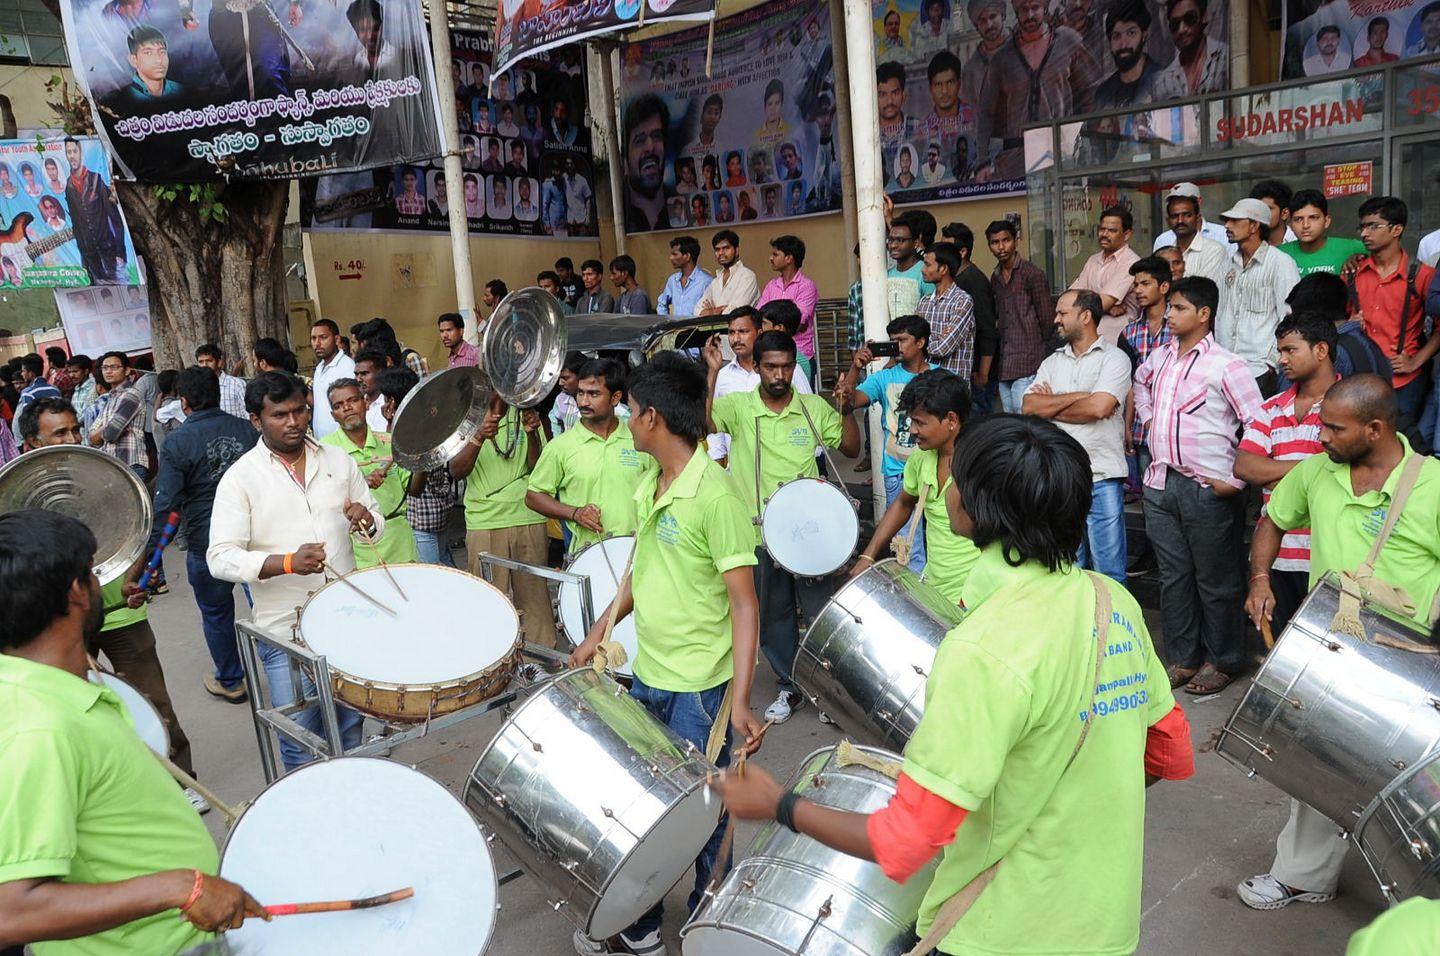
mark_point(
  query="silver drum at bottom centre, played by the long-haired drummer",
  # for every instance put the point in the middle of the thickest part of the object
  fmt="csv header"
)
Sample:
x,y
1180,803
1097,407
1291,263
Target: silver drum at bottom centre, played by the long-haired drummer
x,y
796,898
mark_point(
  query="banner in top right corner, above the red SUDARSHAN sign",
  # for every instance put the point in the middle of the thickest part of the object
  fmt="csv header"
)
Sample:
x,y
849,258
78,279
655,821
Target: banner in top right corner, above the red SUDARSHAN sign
x,y
1327,38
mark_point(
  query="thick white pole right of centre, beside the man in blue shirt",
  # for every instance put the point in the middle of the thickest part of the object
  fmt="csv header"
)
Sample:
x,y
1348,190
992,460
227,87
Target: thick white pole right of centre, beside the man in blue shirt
x,y
870,215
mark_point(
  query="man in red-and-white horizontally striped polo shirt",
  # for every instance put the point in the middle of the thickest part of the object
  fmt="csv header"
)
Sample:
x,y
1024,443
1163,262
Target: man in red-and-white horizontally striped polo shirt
x,y
1287,433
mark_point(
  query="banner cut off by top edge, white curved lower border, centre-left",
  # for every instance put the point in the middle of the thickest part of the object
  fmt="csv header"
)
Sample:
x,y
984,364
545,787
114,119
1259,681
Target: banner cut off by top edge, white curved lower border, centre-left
x,y
526,28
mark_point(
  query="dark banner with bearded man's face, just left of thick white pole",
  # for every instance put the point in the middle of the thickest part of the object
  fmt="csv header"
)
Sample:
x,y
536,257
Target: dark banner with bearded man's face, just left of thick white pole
x,y
755,140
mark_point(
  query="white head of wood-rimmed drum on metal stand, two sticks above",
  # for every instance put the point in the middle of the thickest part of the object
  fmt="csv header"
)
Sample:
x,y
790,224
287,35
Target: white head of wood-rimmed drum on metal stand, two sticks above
x,y
423,643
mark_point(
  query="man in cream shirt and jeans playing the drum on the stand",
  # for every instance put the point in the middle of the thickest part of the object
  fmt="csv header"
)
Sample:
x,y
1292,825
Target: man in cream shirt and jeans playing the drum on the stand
x,y
283,516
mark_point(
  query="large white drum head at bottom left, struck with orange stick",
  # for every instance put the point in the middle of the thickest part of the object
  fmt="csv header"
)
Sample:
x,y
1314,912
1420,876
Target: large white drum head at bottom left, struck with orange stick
x,y
359,827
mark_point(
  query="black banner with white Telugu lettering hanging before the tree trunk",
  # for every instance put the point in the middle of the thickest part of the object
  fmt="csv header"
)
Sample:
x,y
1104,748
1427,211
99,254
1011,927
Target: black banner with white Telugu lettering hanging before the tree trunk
x,y
256,89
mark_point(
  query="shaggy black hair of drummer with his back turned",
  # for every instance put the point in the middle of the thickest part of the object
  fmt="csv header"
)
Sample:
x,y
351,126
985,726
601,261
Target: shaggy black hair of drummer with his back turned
x,y
1026,484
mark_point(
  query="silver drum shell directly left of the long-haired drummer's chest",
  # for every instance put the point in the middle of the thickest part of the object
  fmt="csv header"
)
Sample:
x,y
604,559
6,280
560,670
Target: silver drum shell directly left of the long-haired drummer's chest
x,y
868,656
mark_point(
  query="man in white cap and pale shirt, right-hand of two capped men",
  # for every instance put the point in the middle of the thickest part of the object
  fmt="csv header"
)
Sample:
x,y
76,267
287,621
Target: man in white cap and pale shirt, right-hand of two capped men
x,y
1252,299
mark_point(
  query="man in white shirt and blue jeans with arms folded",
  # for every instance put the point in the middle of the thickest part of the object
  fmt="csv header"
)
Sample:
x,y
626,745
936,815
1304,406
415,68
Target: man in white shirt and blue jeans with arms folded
x,y
1082,388
